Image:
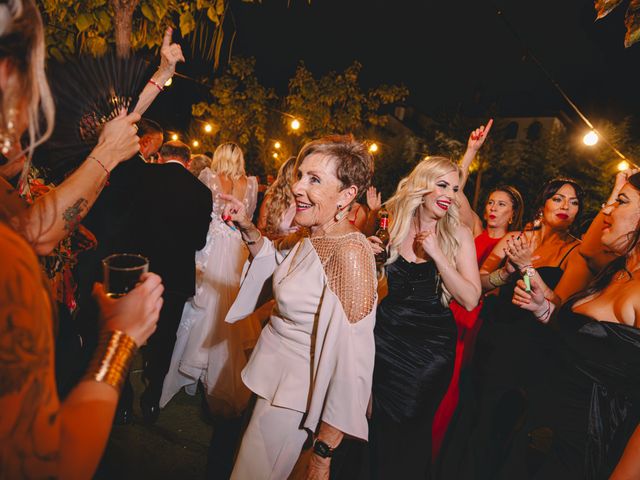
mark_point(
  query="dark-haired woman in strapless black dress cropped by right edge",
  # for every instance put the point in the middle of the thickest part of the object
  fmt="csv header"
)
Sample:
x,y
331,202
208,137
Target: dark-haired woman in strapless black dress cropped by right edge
x,y
593,415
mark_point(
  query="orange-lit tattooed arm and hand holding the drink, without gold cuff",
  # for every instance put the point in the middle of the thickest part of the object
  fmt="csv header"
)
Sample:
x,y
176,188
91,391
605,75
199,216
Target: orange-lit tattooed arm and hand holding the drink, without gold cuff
x,y
39,436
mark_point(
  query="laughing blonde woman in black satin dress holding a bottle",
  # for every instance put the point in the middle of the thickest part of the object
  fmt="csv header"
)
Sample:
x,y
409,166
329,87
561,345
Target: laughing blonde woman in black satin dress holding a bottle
x,y
432,260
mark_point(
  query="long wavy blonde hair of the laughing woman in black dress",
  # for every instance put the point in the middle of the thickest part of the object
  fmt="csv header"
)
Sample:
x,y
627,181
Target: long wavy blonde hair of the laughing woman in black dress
x,y
403,207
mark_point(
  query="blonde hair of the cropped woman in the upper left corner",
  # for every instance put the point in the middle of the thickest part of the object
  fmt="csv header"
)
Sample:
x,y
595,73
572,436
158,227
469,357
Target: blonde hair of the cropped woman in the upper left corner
x,y
22,43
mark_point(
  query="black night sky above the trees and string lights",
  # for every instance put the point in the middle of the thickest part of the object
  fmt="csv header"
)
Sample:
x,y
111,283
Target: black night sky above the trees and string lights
x,y
447,52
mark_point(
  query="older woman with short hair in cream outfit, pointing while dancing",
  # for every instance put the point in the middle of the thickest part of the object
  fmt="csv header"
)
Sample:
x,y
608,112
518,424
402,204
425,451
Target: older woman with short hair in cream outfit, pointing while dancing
x,y
312,366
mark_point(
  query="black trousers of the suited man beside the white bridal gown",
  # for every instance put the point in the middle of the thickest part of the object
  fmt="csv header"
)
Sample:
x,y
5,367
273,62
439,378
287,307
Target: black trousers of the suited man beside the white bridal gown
x,y
157,353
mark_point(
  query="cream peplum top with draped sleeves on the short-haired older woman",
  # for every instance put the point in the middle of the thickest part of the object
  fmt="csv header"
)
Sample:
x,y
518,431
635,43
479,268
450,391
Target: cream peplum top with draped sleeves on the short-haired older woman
x,y
309,358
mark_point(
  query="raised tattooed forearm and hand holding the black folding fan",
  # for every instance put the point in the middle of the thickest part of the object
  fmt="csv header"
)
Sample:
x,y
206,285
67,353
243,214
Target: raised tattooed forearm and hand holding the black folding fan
x,y
55,215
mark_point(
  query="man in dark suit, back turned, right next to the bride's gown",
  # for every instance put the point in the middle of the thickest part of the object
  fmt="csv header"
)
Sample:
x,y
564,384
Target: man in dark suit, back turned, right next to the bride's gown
x,y
171,220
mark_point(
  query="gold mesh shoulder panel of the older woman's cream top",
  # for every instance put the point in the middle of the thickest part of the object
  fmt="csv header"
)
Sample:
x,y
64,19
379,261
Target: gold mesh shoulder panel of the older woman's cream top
x,y
351,272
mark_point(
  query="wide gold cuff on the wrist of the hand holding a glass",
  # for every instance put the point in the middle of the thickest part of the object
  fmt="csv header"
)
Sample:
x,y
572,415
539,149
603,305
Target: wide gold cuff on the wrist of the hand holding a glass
x,y
111,361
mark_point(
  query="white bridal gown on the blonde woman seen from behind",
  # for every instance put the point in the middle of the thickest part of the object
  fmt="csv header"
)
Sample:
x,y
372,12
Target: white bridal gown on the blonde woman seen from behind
x,y
207,348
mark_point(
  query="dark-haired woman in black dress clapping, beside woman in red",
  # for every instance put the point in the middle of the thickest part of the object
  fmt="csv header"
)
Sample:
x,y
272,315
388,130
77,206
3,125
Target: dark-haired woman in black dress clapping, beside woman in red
x,y
510,341
